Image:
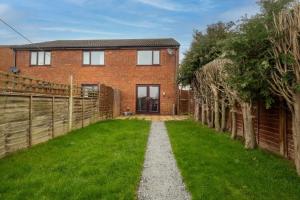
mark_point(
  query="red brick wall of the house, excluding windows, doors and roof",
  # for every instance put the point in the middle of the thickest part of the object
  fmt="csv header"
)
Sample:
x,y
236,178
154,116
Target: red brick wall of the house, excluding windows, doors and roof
x,y
120,71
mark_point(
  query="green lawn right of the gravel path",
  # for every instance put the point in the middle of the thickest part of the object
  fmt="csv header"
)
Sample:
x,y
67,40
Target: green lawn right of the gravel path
x,y
215,167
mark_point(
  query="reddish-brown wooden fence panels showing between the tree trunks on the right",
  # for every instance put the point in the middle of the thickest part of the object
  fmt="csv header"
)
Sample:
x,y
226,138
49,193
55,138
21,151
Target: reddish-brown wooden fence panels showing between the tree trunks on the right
x,y
273,127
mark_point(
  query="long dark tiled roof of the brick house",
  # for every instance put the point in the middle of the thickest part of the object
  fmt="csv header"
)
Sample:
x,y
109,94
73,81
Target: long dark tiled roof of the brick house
x,y
117,43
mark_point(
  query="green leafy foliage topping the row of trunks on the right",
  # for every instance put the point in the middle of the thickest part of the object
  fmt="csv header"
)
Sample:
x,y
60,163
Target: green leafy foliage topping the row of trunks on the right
x,y
249,47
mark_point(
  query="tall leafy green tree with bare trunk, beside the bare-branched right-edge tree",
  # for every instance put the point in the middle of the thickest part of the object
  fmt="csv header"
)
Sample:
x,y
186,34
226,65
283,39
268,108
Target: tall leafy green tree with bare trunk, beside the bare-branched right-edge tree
x,y
248,50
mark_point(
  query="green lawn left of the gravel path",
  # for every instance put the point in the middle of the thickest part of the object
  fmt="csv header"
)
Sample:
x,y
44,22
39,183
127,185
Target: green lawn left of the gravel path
x,y
101,161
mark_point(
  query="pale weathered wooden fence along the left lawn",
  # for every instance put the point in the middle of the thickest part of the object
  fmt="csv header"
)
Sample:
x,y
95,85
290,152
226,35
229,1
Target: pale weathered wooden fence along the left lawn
x,y
34,111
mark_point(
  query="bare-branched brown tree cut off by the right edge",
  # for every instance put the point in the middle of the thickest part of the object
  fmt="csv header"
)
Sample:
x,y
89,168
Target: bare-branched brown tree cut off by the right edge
x,y
285,72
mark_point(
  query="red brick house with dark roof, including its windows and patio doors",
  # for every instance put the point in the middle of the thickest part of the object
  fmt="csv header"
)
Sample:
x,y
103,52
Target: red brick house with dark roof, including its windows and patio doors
x,y
144,70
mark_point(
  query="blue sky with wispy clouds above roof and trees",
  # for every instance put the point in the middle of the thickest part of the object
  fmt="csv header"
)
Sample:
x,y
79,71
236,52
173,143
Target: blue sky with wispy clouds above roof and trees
x,y
44,20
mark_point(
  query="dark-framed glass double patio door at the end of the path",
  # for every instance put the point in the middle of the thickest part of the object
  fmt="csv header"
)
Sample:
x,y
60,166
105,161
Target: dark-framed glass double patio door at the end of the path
x,y
148,99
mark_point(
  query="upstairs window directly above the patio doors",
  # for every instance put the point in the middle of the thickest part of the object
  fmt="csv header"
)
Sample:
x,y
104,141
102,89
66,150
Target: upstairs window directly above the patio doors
x,y
148,57
